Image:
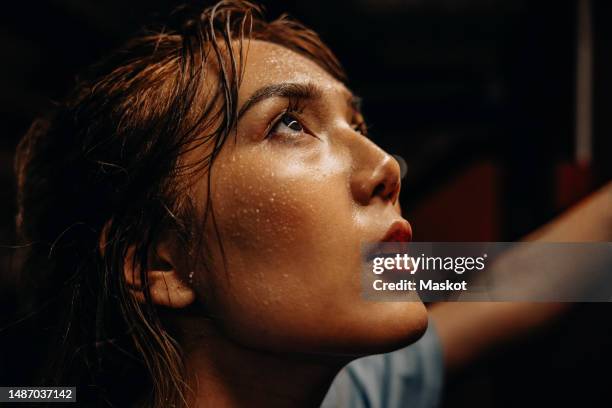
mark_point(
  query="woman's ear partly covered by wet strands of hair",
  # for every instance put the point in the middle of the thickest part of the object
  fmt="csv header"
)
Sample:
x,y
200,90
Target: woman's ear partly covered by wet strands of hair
x,y
166,286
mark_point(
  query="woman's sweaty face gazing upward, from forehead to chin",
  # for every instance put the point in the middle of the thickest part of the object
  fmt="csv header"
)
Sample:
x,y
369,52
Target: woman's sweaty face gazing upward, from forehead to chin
x,y
295,193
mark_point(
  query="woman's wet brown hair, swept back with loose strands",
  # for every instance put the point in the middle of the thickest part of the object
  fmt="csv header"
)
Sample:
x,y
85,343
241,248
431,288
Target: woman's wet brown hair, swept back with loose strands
x,y
106,171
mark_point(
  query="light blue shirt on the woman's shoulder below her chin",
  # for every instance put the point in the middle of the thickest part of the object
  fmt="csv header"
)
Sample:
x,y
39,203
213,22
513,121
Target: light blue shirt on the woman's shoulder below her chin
x,y
411,377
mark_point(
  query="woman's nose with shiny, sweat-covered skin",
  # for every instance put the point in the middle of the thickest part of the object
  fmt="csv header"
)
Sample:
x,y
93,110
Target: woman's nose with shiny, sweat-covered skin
x,y
376,174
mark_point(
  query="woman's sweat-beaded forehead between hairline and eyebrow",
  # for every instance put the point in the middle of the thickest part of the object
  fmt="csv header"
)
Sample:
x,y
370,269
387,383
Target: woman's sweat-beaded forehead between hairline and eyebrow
x,y
267,63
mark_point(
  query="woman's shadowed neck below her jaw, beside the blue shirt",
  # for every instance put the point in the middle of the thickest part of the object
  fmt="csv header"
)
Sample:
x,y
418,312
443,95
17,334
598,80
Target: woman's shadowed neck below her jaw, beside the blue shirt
x,y
222,373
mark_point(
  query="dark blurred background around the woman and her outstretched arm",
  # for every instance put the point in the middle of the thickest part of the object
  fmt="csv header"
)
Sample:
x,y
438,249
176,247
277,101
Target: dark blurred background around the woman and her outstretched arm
x,y
479,96
